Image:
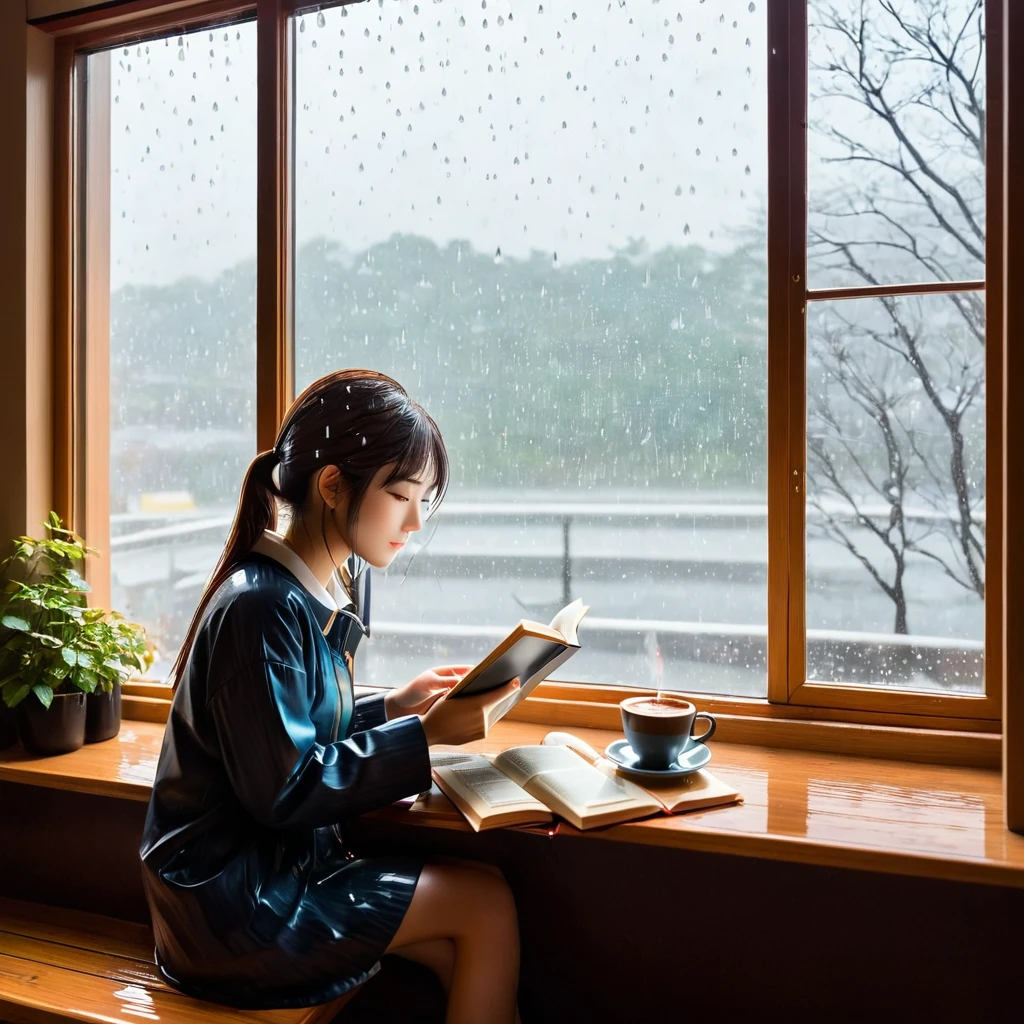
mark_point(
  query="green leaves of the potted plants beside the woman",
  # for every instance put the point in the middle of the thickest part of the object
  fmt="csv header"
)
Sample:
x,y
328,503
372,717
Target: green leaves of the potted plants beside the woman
x,y
52,641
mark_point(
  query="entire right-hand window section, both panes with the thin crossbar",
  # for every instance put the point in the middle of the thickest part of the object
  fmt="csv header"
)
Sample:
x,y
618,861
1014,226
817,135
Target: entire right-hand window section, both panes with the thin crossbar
x,y
895,558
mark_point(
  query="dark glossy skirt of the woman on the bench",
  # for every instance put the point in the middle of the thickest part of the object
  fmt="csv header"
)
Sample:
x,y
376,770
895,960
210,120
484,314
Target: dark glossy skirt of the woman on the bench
x,y
324,946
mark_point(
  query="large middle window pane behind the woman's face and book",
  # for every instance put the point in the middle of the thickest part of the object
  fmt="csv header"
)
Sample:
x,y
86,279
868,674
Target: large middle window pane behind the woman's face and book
x,y
550,227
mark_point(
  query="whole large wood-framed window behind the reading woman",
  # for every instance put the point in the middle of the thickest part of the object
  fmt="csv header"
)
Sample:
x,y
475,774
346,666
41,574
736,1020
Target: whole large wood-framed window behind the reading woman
x,y
700,298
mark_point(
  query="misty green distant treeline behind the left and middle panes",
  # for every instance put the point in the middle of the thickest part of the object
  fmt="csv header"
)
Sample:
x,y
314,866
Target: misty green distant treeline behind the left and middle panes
x,y
643,370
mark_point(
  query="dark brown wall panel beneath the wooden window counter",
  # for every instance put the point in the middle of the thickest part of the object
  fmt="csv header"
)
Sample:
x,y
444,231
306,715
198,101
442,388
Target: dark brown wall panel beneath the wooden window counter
x,y
615,932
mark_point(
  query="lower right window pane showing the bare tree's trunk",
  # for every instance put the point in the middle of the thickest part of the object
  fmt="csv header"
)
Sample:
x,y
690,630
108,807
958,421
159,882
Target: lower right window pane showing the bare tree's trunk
x,y
895,492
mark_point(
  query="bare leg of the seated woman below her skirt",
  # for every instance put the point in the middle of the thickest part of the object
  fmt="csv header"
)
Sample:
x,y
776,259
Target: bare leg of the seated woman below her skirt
x,y
475,910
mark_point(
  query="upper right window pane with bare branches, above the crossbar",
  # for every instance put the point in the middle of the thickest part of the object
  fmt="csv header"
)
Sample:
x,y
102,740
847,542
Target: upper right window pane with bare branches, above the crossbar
x,y
897,142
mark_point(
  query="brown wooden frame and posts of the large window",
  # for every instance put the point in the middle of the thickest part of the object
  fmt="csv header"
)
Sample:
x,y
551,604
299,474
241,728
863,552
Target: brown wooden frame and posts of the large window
x,y
810,703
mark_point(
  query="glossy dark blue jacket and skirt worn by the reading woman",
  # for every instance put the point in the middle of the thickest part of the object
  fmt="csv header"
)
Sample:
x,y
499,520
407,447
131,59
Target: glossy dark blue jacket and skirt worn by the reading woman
x,y
257,900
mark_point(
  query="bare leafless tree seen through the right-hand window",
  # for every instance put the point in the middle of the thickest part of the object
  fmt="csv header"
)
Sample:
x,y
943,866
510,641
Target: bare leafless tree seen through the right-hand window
x,y
897,386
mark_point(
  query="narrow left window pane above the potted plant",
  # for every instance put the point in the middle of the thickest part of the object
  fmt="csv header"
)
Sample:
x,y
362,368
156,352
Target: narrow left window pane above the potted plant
x,y
183,250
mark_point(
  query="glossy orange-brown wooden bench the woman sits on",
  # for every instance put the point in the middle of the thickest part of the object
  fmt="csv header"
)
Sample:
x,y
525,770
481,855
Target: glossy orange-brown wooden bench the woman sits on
x,y
59,965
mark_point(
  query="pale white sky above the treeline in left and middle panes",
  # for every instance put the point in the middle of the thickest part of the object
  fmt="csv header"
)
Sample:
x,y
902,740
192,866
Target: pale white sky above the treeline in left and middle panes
x,y
630,120
